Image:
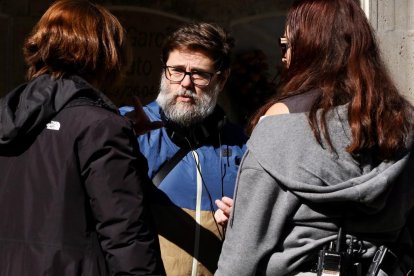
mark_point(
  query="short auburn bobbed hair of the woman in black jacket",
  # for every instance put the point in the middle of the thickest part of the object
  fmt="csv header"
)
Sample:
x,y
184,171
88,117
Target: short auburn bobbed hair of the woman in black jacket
x,y
77,37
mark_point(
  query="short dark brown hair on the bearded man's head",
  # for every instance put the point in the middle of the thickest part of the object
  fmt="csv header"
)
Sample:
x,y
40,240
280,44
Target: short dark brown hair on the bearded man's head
x,y
209,38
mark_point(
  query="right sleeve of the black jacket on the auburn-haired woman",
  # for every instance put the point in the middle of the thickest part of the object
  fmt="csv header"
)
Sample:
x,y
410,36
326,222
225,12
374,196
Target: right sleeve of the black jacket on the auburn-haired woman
x,y
115,175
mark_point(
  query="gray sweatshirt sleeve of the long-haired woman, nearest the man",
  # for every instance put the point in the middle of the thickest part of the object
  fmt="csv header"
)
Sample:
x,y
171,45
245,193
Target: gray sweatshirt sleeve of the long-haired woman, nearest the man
x,y
260,212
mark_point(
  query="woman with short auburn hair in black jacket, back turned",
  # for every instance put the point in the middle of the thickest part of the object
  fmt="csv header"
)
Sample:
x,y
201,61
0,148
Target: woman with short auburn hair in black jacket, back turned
x,y
72,187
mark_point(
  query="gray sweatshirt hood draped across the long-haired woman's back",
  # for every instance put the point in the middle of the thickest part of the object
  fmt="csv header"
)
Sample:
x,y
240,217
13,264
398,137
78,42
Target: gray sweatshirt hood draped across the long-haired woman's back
x,y
284,145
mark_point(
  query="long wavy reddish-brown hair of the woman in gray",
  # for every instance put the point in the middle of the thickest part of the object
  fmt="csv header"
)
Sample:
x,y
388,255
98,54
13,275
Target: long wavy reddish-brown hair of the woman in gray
x,y
333,48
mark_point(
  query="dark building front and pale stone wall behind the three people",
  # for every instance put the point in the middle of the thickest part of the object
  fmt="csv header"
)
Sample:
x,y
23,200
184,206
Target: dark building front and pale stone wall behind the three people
x,y
256,25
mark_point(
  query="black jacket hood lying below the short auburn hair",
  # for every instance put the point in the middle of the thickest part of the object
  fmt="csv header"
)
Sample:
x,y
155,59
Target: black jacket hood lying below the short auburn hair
x,y
33,104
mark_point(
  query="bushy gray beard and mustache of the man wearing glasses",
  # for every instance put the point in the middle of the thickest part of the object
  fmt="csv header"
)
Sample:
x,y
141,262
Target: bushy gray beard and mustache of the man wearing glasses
x,y
186,114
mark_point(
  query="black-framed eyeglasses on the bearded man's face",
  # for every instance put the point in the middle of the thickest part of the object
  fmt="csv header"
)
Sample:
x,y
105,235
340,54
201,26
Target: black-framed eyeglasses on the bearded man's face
x,y
198,78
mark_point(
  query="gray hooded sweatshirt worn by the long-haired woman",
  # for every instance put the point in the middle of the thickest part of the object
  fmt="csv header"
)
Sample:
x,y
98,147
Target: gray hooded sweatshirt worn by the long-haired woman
x,y
292,194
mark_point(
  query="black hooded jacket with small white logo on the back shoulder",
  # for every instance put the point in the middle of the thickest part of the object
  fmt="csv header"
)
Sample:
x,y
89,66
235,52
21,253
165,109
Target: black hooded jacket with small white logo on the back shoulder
x,y
71,184
